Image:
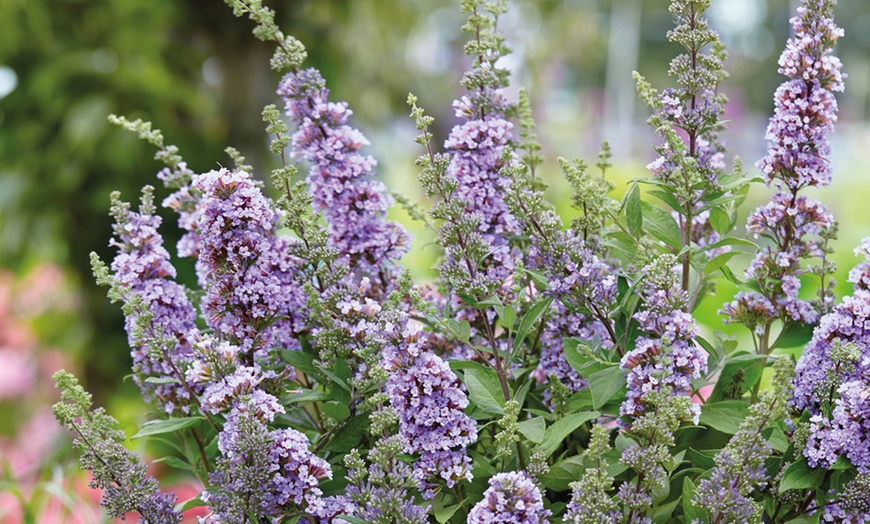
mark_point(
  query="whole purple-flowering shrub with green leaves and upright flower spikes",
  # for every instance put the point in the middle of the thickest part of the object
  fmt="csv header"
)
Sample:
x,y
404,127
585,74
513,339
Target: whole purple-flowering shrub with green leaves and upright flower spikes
x,y
553,374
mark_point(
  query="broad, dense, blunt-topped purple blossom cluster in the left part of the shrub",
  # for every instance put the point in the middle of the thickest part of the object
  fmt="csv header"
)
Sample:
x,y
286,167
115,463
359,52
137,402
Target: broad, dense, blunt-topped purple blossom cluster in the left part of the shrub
x,y
252,296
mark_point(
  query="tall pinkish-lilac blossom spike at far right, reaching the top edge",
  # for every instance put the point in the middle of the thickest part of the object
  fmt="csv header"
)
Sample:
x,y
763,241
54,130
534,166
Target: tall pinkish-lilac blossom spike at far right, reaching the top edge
x,y
798,156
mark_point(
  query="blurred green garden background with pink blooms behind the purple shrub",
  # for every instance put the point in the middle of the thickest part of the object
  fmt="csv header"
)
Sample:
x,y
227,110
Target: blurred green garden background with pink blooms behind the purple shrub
x,y
199,75
